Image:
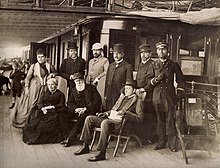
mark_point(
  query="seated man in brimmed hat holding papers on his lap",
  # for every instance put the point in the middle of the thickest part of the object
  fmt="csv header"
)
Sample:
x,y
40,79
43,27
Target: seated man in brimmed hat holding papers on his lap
x,y
128,106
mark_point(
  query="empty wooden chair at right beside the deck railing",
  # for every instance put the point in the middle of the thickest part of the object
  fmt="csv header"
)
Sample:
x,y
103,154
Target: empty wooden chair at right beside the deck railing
x,y
191,114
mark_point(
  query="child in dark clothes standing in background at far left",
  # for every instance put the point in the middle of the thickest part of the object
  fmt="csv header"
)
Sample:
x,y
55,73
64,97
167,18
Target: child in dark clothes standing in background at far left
x,y
16,75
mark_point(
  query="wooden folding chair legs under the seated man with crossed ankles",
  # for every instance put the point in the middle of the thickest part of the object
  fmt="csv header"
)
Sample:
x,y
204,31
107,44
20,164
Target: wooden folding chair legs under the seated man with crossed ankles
x,y
120,135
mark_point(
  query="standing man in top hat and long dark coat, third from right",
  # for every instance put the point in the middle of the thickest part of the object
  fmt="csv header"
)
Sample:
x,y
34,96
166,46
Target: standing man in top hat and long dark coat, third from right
x,y
117,74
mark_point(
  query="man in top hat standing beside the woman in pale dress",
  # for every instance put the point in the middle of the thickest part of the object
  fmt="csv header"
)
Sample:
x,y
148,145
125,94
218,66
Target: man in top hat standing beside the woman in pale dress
x,y
71,65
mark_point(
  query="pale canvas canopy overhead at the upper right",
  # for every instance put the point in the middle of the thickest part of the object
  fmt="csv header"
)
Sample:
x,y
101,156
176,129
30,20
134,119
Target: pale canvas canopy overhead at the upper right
x,y
203,17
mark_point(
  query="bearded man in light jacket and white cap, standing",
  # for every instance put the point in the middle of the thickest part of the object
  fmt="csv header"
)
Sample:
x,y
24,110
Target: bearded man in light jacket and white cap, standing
x,y
97,66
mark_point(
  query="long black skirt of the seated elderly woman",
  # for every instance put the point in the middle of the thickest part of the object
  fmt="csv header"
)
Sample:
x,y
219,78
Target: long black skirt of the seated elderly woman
x,y
42,128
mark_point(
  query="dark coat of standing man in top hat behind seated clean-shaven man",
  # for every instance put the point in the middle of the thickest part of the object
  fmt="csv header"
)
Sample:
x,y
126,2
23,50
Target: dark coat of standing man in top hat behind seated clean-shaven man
x,y
115,79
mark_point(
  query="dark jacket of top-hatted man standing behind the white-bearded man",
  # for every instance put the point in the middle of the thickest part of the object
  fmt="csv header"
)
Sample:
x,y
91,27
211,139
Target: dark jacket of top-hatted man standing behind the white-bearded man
x,y
69,67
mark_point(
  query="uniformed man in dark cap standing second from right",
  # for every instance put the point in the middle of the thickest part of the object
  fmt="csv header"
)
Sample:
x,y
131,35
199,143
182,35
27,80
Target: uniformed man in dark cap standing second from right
x,y
142,81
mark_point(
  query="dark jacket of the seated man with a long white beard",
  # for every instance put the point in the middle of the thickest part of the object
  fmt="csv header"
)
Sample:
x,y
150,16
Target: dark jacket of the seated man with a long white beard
x,y
92,98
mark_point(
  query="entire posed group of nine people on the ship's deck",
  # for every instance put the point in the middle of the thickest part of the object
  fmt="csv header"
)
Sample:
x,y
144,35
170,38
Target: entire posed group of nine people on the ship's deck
x,y
144,102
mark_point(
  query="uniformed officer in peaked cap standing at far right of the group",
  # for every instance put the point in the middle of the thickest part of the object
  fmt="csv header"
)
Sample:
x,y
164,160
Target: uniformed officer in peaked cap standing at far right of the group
x,y
164,97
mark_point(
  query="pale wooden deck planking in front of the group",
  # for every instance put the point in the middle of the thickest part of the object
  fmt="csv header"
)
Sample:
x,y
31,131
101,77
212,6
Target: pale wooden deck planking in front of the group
x,y
16,154
